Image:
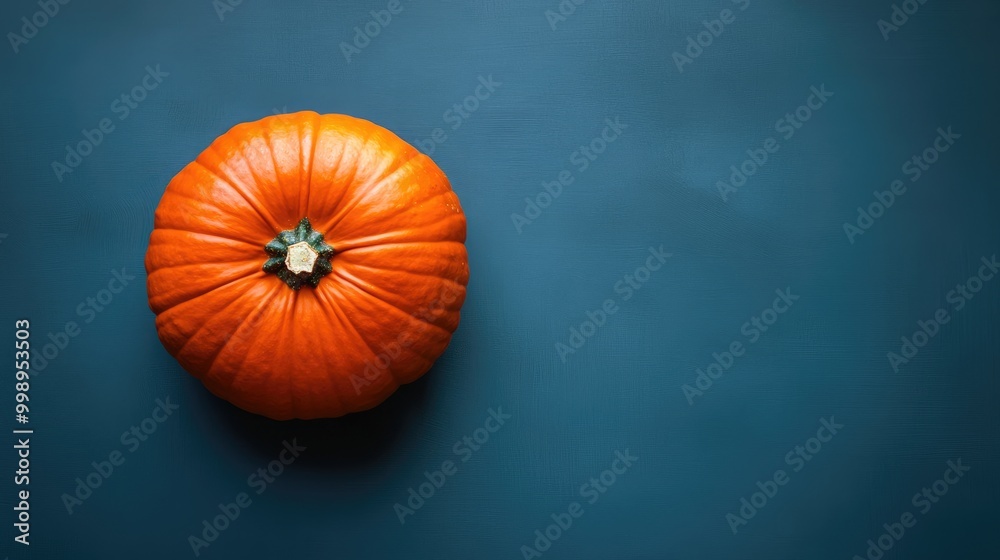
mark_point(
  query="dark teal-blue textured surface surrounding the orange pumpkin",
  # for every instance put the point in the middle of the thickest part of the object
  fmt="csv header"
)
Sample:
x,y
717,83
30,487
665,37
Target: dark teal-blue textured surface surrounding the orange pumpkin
x,y
655,185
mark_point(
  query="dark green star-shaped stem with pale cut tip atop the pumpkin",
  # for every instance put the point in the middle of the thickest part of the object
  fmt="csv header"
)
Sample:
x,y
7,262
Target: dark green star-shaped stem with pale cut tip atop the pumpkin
x,y
299,256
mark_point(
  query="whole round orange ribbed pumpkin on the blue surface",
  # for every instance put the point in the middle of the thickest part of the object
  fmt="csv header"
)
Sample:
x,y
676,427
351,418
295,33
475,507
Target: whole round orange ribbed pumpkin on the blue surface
x,y
306,265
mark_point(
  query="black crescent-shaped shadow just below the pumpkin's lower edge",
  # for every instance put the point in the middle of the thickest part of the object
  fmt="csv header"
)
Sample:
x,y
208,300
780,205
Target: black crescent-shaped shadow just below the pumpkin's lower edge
x,y
351,442
